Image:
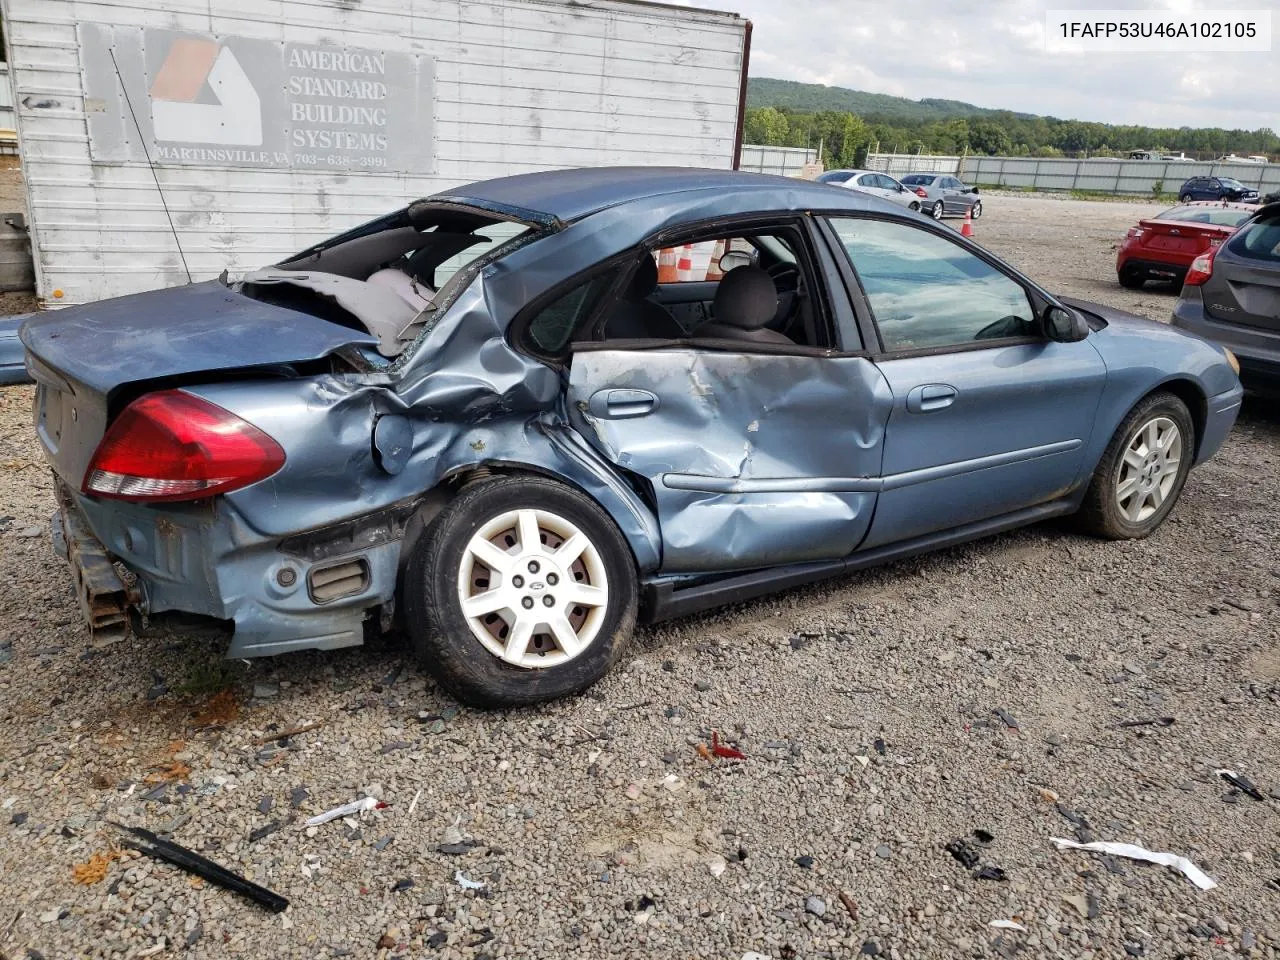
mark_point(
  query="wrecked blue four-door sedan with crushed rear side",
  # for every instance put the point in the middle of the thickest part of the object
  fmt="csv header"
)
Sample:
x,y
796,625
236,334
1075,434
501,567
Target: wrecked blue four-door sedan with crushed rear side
x,y
516,418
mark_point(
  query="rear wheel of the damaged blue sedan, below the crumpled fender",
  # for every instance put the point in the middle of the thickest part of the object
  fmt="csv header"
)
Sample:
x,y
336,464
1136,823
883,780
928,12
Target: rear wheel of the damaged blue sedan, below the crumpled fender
x,y
522,591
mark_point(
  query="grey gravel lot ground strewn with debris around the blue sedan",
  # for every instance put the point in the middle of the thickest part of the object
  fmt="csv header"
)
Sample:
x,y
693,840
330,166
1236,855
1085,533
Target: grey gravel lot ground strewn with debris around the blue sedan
x,y
866,711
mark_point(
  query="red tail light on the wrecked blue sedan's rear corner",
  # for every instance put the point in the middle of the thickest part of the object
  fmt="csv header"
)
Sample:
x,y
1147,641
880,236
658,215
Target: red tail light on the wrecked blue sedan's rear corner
x,y
173,446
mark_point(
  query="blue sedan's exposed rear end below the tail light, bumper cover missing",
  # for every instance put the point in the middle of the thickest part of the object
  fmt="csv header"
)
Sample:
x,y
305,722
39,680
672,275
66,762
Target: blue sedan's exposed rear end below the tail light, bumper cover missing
x,y
205,560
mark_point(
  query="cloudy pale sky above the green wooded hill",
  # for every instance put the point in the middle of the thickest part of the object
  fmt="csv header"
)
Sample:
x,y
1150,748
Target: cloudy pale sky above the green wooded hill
x,y
991,53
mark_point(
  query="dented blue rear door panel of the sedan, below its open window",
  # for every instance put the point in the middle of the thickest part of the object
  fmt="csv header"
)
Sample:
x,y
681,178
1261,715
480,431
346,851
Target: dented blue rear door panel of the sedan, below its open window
x,y
753,459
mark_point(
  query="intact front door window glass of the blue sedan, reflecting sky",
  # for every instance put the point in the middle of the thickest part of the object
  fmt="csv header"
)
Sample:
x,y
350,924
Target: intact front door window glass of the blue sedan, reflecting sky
x,y
927,291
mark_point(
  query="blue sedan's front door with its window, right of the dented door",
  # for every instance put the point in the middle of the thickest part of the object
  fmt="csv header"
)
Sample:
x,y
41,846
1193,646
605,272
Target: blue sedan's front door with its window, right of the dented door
x,y
989,417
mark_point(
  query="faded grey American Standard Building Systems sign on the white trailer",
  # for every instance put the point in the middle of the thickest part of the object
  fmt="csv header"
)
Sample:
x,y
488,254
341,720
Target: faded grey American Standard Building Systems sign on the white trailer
x,y
235,102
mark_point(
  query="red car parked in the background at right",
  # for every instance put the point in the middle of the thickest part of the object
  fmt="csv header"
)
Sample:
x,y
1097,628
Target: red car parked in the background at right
x,y
1163,248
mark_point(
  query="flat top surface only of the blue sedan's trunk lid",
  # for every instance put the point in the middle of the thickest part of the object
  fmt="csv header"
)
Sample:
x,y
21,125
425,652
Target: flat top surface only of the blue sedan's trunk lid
x,y
176,332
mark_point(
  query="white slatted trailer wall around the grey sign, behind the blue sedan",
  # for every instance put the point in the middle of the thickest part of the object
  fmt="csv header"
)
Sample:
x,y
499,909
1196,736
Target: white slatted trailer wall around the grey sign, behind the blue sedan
x,y
519,85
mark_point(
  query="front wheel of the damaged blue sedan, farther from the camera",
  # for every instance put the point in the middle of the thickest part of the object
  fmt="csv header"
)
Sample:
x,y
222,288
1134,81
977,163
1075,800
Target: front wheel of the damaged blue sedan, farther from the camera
x,y
1142,472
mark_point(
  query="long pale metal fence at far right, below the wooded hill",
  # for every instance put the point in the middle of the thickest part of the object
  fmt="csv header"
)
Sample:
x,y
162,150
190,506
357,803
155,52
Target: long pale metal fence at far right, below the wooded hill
x,y
1137,177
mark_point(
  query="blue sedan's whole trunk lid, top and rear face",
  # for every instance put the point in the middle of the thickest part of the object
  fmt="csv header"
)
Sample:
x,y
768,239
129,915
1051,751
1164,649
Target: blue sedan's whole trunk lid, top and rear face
x,y
85,358
